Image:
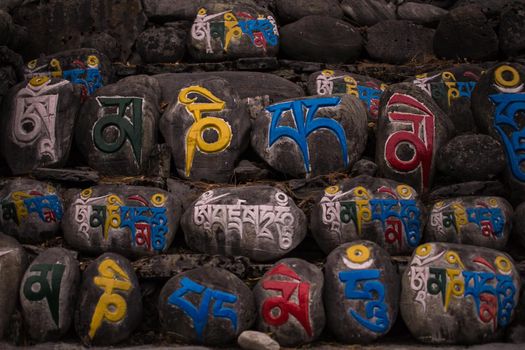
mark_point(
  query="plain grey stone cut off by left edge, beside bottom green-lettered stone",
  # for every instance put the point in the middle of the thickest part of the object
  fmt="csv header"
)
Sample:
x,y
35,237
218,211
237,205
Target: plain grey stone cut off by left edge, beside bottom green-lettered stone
x,y
13,263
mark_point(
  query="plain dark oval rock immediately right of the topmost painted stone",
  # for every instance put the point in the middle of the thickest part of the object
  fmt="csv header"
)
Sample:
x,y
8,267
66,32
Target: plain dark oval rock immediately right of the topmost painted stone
x,y
321,39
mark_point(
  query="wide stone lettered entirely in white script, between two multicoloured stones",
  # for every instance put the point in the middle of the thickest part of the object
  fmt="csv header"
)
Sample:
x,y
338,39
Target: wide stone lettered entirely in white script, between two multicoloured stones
x,y
260,222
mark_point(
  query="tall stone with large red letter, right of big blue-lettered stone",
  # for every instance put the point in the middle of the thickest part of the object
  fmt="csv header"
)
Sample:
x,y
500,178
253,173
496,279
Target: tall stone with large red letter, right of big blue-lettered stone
x,y
410,131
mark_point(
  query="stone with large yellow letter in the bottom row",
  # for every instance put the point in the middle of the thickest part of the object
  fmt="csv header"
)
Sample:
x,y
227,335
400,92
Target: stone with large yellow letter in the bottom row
x,y
110,302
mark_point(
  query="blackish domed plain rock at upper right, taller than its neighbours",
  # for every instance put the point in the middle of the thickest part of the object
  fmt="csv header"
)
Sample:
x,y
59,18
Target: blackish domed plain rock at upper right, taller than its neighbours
x,y
465,34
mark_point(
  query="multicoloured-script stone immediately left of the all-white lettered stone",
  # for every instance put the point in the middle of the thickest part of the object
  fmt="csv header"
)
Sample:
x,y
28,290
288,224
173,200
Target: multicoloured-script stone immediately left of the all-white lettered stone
x,y
129,220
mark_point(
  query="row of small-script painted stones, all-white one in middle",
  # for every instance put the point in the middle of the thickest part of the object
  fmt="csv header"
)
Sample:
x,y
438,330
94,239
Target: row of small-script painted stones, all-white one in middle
x,y
258,221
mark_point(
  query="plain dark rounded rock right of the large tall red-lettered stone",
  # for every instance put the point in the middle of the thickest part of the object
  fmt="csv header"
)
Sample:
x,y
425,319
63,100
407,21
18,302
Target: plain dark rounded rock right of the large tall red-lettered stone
x,y
471,157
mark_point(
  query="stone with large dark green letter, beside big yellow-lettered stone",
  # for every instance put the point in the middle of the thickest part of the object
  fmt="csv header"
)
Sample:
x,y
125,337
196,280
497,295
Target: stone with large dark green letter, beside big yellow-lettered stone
x,y
117,128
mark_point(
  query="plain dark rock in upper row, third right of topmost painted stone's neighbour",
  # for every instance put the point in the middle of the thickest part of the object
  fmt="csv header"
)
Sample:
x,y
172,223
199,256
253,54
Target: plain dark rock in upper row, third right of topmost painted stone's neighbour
x,y
395,41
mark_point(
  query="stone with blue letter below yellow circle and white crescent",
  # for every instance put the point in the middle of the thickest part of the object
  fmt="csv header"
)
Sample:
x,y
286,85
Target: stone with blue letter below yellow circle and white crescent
x,y
360,277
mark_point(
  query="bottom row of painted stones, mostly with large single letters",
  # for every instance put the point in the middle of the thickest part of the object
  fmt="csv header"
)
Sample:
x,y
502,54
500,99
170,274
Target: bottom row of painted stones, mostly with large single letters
x,y
470,292
